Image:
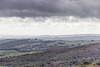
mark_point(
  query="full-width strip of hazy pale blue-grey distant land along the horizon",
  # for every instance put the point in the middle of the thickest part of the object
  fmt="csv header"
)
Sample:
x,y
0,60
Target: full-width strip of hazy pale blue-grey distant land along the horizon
x,y
56,37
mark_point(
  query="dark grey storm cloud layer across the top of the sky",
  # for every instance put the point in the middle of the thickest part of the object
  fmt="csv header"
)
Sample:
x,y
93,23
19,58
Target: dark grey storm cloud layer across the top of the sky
x,y
45,8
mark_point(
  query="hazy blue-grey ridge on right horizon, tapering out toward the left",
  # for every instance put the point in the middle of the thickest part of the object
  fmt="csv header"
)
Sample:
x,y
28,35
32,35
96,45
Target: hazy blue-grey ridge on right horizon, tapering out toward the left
x,y
71,37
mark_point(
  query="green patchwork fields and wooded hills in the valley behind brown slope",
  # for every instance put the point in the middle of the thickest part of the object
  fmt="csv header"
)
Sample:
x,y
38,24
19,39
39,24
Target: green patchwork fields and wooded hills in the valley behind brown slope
x,y
14,47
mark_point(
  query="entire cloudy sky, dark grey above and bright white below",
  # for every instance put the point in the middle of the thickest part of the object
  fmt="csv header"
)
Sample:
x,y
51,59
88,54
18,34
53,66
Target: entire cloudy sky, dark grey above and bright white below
x,y
49,17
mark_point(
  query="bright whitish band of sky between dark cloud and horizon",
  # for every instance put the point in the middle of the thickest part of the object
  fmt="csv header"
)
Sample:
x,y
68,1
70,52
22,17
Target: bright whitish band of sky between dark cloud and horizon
x,y
49,26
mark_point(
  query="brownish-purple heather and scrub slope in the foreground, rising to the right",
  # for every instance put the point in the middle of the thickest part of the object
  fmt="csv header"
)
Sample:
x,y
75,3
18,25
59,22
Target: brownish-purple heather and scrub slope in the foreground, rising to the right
x,y
57,57
